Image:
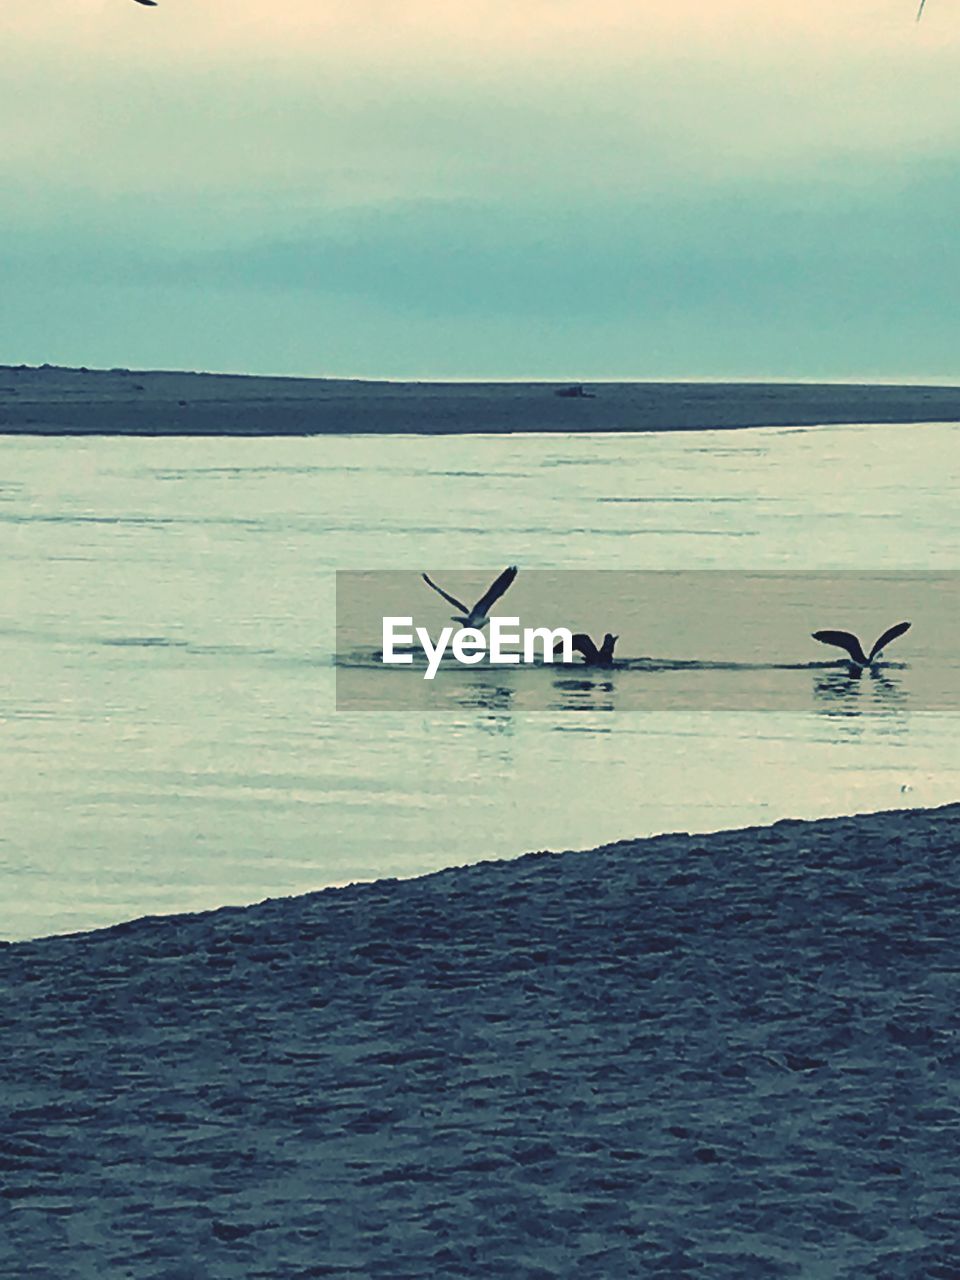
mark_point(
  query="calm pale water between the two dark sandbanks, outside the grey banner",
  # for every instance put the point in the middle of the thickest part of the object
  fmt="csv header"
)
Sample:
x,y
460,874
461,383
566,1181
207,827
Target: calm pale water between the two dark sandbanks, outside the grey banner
x,y
167,696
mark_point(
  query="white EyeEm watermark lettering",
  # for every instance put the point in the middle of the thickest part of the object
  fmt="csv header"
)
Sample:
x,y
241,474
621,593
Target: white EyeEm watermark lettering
x,y
508,646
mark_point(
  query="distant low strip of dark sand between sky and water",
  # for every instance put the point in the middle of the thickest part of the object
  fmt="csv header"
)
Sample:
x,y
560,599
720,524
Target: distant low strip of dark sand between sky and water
x,y
52,401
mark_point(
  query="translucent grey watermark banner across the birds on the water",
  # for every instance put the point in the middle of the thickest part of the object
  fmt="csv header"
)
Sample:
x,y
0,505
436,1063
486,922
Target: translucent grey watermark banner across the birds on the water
x,y
838,642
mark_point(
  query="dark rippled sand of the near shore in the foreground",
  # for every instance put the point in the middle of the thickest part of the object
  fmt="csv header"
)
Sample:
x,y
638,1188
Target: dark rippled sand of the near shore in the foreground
x,y
725,1057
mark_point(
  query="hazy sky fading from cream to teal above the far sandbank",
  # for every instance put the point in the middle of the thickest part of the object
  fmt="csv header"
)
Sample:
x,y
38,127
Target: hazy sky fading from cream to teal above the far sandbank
x,y
483,189
